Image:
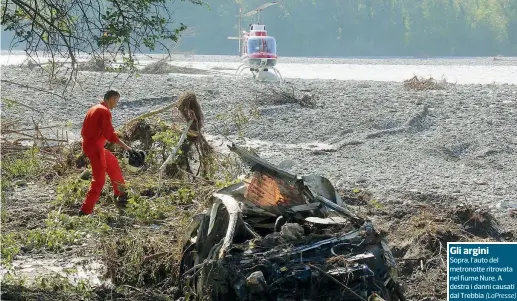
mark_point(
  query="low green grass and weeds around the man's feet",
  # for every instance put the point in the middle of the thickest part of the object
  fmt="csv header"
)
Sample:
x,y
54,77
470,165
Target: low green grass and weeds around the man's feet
x,y
134,252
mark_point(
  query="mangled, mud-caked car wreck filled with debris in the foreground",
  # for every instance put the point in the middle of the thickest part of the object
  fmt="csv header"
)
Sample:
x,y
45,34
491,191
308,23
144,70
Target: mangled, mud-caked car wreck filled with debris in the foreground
x,y
277,236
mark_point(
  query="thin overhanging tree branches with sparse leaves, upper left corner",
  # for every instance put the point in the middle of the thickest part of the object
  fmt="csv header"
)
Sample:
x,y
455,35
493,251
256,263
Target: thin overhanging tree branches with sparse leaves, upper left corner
x,y
99,28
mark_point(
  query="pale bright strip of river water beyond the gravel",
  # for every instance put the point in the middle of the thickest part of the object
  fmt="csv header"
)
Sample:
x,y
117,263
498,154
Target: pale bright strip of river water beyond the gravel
x,y
477,70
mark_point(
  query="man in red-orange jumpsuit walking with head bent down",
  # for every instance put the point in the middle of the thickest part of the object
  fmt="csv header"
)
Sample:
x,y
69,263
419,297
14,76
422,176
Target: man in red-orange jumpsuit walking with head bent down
x,y
97,129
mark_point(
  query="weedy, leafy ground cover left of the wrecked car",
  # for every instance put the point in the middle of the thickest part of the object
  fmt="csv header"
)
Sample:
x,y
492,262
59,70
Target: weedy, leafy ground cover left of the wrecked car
x,y
139,246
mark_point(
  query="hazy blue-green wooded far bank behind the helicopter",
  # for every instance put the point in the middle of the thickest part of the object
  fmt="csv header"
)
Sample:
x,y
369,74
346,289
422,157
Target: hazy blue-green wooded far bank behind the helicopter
x,y
362,27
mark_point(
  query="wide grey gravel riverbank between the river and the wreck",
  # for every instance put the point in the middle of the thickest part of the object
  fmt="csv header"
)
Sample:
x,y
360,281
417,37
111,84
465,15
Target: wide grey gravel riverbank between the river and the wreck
x,y
402,145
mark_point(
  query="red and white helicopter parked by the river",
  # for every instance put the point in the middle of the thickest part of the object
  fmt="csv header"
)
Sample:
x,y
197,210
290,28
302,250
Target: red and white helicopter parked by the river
x,y
256,48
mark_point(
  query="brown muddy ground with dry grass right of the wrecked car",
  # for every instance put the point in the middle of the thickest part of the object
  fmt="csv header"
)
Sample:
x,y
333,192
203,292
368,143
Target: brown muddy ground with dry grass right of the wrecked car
x,y
418,233
